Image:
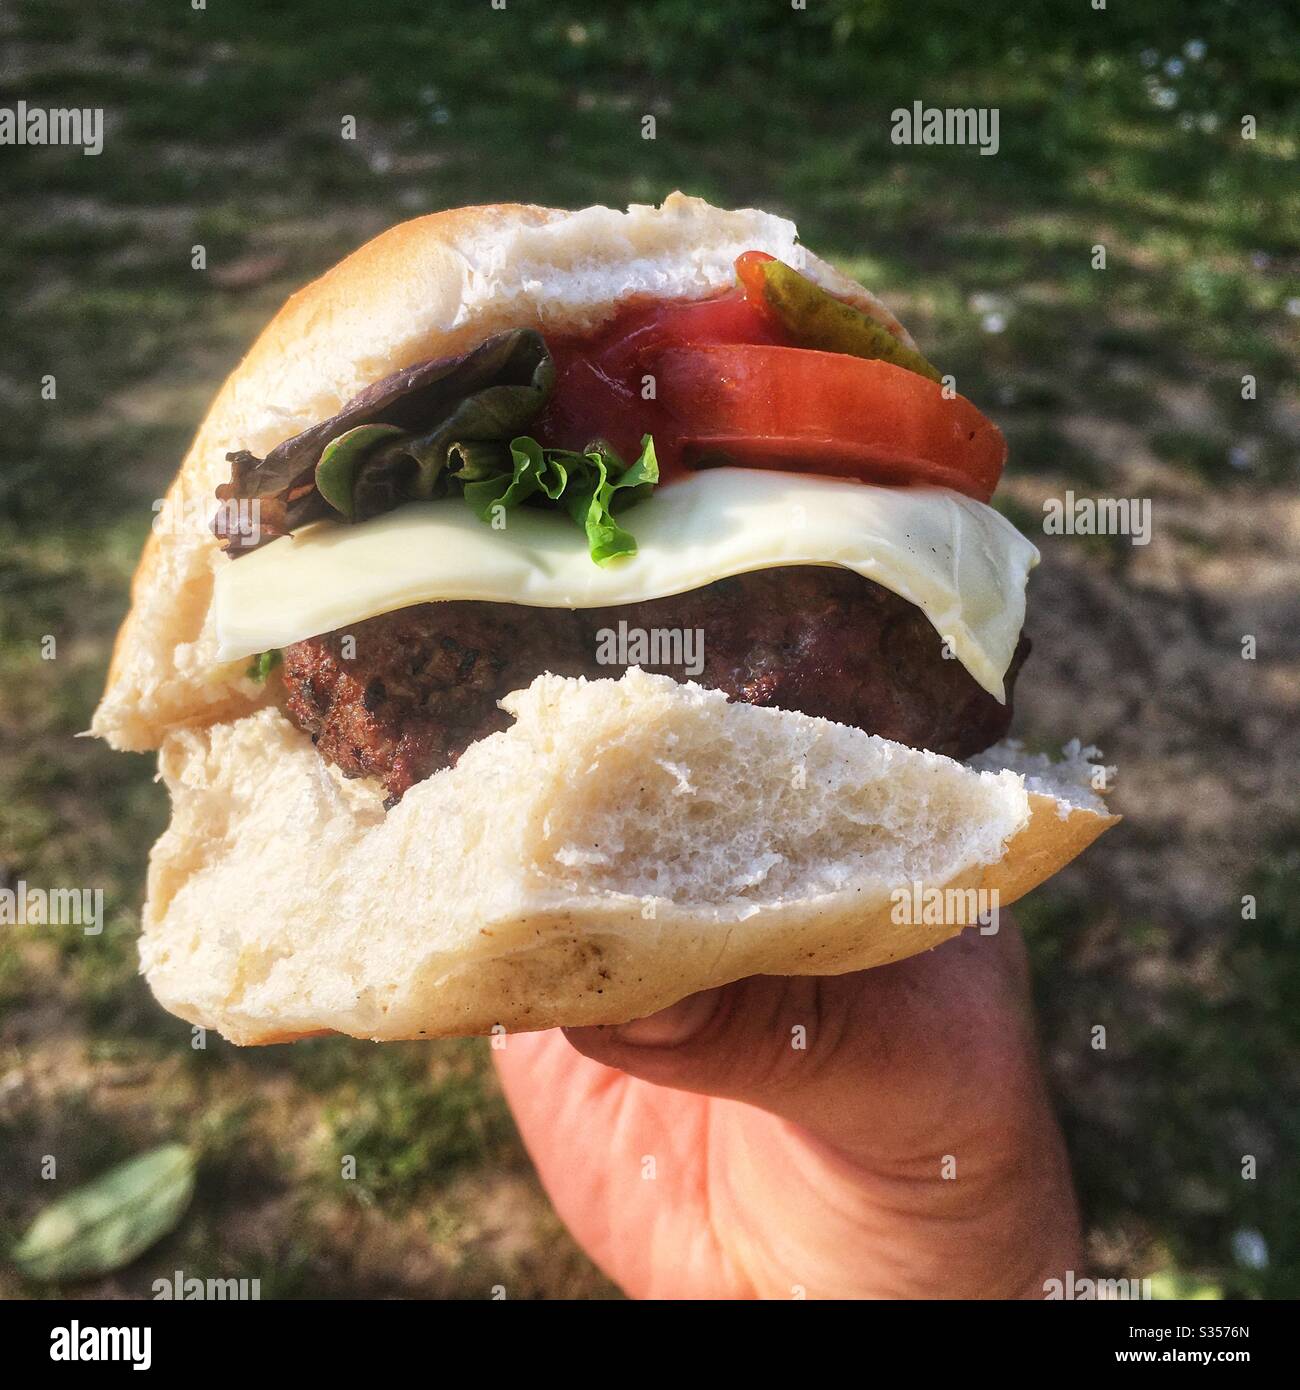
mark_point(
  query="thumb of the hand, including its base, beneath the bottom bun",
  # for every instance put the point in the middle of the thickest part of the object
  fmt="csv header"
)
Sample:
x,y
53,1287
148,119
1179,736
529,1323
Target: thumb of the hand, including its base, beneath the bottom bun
x,y
875,1063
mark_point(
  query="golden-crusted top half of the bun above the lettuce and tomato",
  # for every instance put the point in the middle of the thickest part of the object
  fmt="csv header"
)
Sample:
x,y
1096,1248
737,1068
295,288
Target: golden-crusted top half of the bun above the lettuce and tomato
x,y
432,287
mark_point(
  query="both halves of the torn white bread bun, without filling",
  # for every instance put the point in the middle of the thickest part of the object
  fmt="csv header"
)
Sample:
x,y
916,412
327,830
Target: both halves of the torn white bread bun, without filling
x,y
625,843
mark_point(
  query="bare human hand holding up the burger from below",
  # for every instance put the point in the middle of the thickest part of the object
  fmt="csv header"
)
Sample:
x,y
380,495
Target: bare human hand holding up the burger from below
x,y
907,1152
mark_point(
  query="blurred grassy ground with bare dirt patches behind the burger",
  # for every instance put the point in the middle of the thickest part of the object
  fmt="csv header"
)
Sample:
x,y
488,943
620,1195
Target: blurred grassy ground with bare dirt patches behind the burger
x,y
1120,127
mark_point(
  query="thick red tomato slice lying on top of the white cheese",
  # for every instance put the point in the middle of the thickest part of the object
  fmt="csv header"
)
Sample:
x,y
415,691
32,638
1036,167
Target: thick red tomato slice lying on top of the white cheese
x,y
817,412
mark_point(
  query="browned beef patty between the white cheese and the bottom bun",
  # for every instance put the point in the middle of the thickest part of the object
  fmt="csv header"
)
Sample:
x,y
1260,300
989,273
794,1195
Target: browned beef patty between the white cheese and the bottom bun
x,y
403,696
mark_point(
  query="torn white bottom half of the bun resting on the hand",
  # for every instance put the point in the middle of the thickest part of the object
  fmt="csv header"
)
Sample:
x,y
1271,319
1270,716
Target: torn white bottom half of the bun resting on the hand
x,y
622,846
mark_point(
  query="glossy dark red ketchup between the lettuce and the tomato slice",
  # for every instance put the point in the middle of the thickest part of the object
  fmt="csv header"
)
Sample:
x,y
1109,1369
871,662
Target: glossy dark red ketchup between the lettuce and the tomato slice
x,y
600,386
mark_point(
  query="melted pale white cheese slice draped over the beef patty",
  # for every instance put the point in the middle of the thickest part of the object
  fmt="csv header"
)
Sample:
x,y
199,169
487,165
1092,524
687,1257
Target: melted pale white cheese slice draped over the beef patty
x,y
961,564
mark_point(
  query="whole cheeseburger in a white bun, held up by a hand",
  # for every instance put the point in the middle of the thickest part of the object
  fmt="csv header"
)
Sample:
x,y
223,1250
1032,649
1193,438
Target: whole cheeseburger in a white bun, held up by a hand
x,y
560,614
